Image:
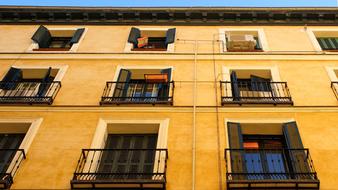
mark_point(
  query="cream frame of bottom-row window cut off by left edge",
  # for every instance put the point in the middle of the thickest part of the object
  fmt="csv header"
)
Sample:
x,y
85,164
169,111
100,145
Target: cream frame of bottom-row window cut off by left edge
x,y
27,140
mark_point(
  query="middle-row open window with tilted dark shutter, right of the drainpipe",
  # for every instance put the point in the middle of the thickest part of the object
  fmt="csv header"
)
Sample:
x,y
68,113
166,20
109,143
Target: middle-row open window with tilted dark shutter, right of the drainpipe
x,y
254,86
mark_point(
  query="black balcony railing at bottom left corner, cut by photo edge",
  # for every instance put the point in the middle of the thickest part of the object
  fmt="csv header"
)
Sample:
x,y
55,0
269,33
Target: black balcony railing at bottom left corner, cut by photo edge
x,y
11,160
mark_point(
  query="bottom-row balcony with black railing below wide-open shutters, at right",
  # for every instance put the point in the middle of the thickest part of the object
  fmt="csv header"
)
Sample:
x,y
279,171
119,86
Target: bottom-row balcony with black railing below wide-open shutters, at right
x,y
270,169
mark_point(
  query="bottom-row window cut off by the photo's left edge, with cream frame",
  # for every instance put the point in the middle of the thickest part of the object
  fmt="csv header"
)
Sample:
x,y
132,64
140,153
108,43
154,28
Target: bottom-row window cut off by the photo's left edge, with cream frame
x,y
15,139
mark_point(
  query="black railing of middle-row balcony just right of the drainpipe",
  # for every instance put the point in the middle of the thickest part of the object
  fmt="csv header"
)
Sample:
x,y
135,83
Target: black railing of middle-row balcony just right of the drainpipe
x,y
255,93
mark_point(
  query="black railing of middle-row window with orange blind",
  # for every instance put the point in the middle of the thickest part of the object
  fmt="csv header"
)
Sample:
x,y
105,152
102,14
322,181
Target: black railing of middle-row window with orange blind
x,y
138,93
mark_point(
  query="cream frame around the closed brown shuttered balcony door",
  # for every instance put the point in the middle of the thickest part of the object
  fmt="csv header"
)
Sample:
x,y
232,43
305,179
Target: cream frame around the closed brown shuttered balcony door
x,y
101,135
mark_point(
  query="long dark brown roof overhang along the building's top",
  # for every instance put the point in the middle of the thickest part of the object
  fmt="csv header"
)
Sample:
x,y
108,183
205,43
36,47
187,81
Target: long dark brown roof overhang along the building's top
x,y
169,15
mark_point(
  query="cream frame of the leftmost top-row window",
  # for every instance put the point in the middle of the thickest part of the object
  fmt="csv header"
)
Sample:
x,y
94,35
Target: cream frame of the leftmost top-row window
x,y
74,47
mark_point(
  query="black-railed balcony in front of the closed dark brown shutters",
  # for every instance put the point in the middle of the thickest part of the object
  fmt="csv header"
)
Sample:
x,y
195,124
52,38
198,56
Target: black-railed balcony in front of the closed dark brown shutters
x,y
109,168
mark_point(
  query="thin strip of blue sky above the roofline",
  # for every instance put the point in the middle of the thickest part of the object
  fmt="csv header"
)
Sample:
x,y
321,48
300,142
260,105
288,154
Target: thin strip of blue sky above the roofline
x,y
251,3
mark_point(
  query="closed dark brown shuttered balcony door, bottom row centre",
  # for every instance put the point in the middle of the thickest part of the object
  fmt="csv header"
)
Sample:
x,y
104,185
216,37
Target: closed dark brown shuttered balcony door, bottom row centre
x,y
129,156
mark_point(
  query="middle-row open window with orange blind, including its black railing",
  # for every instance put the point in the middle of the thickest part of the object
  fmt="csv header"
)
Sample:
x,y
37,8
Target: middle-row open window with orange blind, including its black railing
x,y
135,86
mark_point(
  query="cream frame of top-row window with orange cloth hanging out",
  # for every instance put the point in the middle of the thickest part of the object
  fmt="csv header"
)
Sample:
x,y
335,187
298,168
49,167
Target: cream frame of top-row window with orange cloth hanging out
x,y
170,48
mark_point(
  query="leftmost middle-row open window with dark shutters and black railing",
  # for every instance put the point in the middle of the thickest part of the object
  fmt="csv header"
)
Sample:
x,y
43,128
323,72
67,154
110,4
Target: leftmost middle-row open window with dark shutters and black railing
x,y
29,86
